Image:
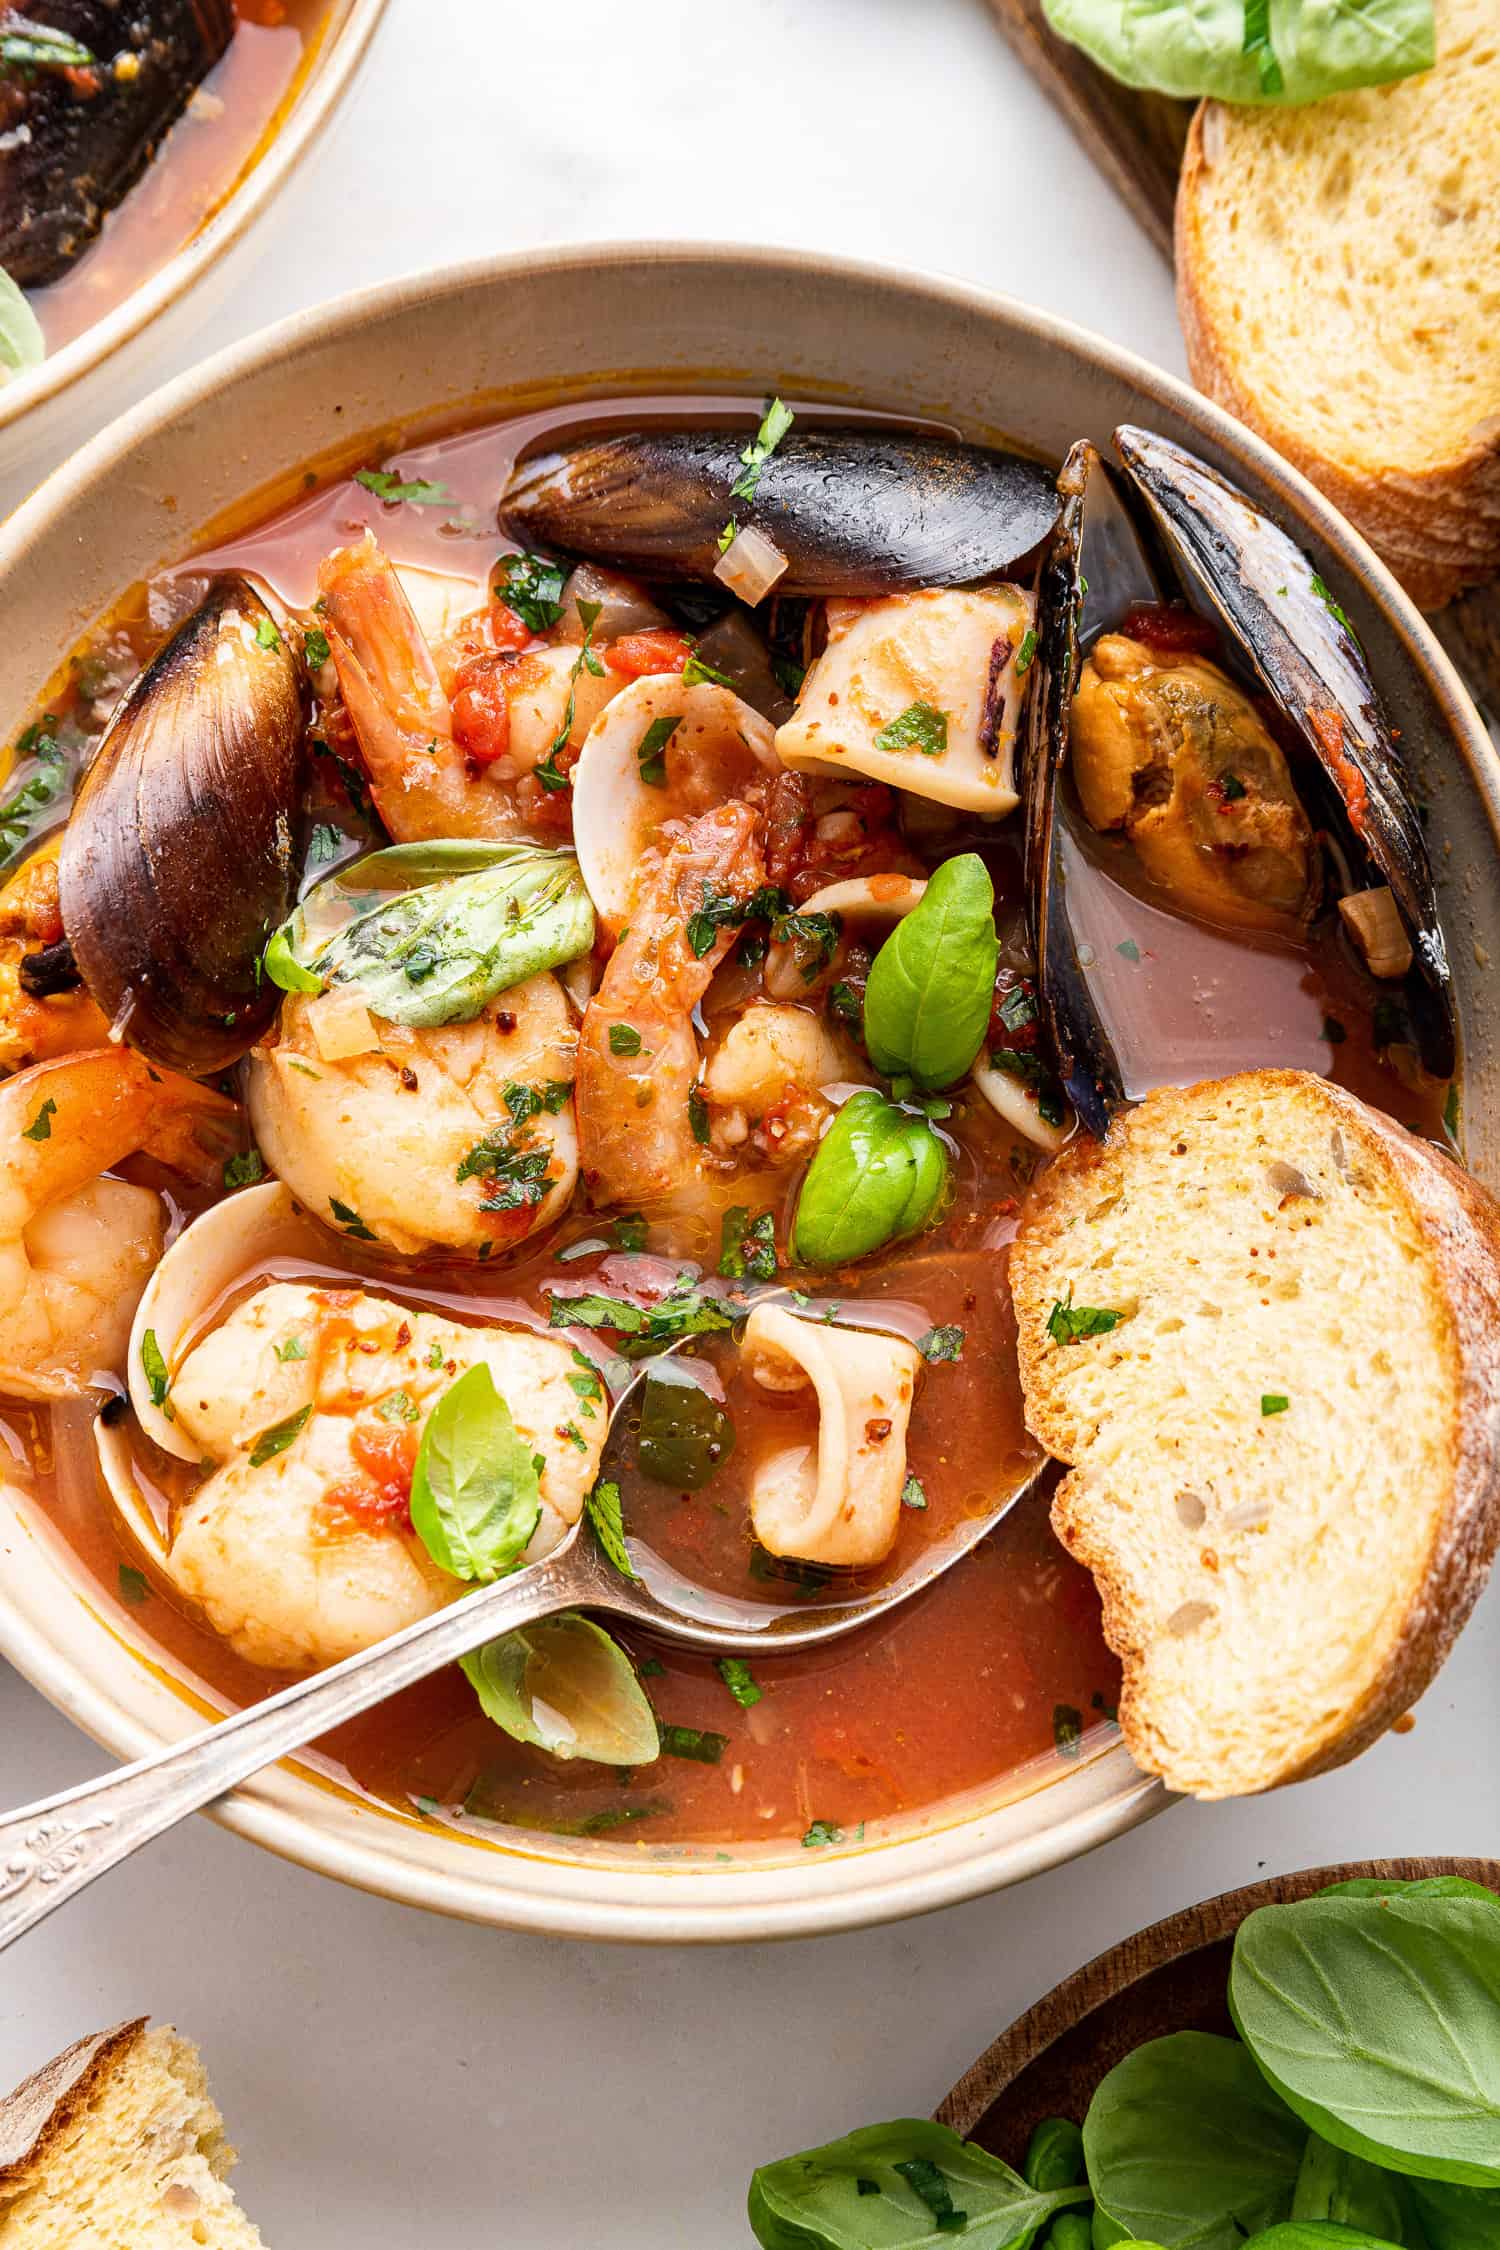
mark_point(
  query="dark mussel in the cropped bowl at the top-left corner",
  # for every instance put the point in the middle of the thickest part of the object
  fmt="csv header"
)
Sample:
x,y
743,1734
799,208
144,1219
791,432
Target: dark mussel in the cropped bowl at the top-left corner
x,y
84,102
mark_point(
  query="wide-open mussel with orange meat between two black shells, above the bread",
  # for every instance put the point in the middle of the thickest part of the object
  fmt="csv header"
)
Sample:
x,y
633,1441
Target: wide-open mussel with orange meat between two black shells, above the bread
x,y
1162,737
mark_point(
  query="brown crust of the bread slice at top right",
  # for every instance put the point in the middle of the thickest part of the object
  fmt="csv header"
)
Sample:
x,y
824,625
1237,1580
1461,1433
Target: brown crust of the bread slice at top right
x,y
1438,530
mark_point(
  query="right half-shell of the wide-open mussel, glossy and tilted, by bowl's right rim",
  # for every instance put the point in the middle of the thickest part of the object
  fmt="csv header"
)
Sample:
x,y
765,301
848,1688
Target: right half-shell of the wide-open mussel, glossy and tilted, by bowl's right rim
x,y
1263,591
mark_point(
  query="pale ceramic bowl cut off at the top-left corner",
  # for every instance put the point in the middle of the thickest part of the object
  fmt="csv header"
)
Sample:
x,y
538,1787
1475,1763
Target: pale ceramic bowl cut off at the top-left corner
x,y
46,406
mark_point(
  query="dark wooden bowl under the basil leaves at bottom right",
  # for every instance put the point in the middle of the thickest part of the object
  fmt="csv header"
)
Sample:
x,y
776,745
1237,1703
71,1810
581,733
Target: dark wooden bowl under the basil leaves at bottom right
x,y
1168,1979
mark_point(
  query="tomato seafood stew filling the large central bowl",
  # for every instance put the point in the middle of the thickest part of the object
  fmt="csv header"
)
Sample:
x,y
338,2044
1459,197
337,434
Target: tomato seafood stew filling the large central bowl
x,y
536,969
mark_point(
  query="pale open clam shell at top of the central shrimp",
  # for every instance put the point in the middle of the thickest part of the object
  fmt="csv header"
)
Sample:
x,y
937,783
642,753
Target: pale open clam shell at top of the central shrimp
x,y
658,750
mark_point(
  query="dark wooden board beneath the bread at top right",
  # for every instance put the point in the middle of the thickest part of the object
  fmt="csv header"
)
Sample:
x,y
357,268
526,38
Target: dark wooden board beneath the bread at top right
x,y
1137,141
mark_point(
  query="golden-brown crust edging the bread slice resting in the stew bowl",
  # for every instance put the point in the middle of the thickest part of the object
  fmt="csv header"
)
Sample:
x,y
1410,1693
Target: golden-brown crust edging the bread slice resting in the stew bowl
x,y
1461,1227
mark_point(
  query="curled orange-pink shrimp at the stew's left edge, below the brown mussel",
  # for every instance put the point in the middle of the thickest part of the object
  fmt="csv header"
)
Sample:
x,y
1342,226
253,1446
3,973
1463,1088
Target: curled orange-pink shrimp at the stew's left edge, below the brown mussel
x,y
78,1248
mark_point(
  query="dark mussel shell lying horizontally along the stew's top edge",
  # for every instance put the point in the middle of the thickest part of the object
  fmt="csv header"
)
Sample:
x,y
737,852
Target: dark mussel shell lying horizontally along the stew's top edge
x,y
856,512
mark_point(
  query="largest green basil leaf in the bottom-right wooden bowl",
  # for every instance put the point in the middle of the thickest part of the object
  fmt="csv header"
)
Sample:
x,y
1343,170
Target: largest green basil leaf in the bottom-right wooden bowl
x,y
1380,2024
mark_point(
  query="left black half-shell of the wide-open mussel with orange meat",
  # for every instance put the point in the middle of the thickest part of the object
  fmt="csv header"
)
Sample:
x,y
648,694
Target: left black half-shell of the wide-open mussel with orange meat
x,y
1081,1047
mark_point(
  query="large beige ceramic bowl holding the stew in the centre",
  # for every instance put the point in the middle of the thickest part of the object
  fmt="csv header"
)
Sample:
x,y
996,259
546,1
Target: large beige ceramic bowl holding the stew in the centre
x,y
498,339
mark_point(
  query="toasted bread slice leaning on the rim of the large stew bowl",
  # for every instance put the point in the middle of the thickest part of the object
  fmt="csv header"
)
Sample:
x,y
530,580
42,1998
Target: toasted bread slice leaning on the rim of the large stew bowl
x,y
1285,1446
